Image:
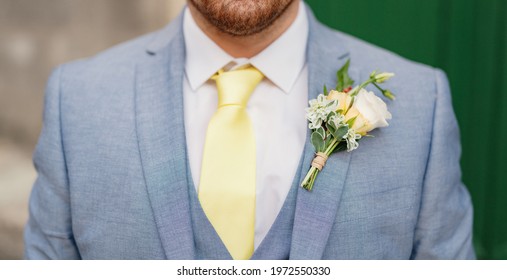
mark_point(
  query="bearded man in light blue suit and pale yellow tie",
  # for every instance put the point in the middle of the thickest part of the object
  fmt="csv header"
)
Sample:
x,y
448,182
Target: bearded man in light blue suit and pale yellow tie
x,y
132,163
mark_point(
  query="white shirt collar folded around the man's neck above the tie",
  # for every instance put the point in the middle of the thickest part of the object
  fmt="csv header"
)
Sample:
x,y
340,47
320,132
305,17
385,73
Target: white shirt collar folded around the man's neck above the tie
x,y
281,62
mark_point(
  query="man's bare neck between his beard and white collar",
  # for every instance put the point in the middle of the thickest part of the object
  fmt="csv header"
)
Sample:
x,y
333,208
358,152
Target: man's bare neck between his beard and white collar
x,y
246,46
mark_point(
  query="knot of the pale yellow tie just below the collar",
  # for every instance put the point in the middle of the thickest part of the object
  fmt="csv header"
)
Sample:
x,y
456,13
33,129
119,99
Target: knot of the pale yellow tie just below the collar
x,y
235,87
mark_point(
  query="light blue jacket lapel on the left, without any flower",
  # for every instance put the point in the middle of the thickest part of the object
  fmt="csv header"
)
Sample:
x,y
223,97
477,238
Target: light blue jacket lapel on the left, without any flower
x,y
161,136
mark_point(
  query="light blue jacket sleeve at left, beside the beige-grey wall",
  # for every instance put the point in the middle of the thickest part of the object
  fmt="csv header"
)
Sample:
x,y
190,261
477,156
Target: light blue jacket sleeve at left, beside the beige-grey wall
x,y
48,233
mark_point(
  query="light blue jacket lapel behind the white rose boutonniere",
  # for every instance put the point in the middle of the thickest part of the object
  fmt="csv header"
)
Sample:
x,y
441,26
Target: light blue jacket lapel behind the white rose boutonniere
x,y
316,210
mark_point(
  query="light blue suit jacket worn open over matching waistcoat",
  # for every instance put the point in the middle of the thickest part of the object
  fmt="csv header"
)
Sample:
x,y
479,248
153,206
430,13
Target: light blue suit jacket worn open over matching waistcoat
x,y
112,162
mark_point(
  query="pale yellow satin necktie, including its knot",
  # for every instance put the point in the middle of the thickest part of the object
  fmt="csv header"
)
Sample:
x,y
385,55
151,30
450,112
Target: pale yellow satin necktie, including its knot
x,y
227,184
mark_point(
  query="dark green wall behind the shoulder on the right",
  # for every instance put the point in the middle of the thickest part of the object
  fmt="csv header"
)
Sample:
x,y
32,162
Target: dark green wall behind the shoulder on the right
x,y
468,39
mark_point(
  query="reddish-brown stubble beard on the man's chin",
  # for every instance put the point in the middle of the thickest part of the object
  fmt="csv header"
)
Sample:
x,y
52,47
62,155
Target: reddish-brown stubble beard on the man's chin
x,y
241,17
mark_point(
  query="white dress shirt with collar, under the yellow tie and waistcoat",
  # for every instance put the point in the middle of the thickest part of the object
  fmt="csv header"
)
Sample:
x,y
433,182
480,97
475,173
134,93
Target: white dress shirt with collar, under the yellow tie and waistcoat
x,y
276,109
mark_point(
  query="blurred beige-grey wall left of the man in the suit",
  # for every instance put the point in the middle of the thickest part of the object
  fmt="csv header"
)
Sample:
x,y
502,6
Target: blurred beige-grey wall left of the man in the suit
x,y
35,36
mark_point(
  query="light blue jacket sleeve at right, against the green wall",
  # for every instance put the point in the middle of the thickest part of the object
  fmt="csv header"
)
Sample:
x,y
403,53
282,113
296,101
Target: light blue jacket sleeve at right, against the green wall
x,y
444,227
